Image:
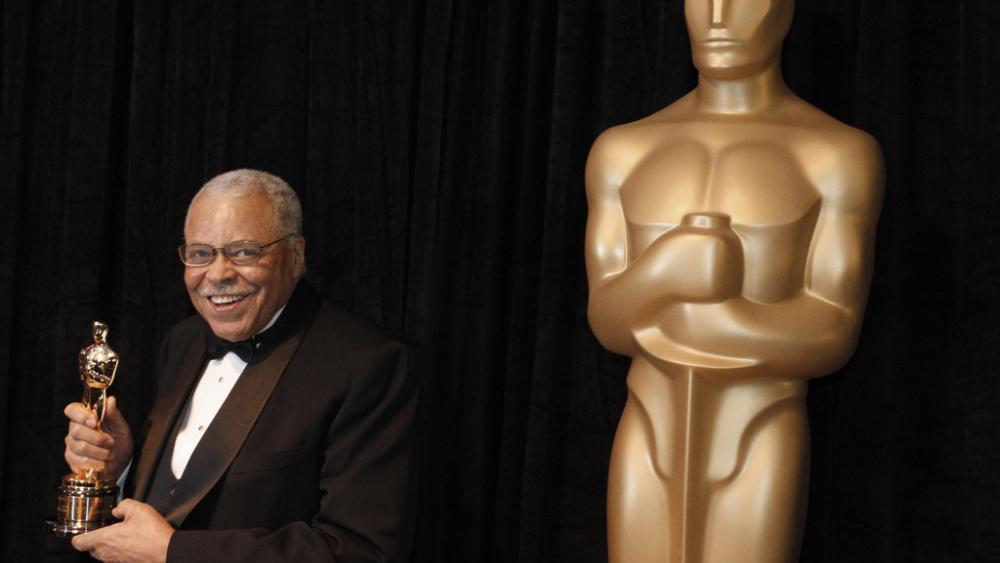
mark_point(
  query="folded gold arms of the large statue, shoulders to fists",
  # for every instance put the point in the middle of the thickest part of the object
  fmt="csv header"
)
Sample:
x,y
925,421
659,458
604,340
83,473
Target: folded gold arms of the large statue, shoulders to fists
x,y
703,309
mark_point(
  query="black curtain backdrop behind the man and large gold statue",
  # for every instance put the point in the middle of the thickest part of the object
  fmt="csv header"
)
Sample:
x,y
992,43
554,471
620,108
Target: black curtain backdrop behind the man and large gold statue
x,y
438,147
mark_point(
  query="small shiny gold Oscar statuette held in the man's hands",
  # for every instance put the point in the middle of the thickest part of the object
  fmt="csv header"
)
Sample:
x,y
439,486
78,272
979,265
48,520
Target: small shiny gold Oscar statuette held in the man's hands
x,y
86,498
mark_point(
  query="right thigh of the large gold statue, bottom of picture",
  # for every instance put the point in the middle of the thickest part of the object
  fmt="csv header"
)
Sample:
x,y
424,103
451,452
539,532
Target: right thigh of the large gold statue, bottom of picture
x,y
757,516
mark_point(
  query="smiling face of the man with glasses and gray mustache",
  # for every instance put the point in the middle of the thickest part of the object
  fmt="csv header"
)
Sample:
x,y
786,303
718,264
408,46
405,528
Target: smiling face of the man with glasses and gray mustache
x,y
239,301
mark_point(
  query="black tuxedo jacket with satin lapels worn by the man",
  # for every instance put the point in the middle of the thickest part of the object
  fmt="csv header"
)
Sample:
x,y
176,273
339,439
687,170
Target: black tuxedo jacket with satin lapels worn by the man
x,y
312,457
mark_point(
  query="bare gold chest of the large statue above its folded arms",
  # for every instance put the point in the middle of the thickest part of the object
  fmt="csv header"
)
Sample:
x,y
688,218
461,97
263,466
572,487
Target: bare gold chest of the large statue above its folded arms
x,y
750,171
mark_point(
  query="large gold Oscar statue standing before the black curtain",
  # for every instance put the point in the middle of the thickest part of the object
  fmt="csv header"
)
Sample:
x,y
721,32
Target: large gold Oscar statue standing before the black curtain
x,y
729,253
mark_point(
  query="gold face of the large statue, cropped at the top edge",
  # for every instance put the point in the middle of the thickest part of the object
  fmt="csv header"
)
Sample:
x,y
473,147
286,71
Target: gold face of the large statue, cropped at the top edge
x,y
732,39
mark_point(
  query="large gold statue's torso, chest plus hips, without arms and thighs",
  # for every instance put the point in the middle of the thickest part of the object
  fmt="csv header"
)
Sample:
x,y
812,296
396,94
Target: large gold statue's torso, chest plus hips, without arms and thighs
x,y
768,177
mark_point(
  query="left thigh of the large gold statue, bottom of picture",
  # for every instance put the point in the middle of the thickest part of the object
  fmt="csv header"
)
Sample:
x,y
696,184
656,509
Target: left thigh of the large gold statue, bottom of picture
x,y
638,509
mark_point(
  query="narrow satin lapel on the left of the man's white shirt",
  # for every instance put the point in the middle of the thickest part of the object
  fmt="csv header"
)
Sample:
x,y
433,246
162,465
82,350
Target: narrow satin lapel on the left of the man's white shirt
x,y
163,417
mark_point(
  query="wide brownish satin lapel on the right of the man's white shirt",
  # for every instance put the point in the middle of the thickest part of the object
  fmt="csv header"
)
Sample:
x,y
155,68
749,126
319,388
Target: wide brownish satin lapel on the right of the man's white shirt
x,y
229,429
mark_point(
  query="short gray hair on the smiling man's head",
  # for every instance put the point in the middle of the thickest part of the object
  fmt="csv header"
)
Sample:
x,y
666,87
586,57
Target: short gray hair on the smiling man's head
x,y
246,182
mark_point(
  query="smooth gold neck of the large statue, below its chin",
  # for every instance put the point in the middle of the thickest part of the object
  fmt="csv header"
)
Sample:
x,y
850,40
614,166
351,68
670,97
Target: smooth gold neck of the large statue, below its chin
x,y
752,94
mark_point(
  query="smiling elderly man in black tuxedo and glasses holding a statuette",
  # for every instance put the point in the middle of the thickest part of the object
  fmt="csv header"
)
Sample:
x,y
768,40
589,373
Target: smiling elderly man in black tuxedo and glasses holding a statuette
x,y
282,428
